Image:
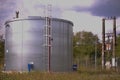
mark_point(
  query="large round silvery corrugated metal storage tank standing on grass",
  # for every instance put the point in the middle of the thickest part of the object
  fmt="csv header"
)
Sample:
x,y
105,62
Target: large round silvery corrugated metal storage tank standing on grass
x,y
24,44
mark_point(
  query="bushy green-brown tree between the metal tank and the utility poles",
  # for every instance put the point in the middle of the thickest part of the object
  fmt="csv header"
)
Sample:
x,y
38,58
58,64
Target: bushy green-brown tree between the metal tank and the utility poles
x,y
84,44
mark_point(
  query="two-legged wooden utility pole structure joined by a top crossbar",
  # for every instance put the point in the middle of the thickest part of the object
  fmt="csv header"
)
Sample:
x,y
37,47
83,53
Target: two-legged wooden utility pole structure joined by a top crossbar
x,y
113,41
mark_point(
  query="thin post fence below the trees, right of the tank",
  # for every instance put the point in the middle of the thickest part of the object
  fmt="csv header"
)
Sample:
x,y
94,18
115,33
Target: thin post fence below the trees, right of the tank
x,y
92,64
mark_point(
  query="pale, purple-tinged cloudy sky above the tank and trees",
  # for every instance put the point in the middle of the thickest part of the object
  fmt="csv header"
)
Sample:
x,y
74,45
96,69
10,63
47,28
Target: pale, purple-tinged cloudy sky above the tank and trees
x,y
85,14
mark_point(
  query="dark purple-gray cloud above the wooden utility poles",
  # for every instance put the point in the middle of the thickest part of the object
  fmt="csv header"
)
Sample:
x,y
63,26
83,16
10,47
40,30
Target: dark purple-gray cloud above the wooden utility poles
x,y
102,8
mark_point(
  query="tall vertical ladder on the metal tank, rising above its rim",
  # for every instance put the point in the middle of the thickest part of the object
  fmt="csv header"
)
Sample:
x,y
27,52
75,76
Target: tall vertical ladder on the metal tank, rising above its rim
x,y
48,37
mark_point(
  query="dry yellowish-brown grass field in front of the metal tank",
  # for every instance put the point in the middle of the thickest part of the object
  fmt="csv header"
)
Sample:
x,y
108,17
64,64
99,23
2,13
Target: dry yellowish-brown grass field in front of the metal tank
x,y
82,74
